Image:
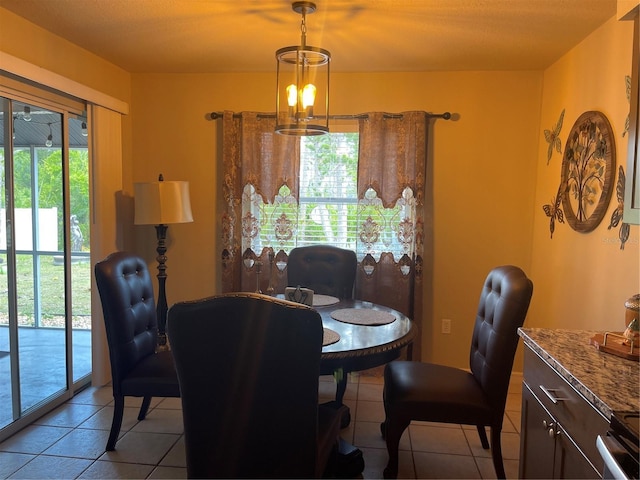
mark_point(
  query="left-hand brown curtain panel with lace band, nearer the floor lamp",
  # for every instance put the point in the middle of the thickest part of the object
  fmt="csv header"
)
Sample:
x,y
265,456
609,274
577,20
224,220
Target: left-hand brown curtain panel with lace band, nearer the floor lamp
x,y
257,163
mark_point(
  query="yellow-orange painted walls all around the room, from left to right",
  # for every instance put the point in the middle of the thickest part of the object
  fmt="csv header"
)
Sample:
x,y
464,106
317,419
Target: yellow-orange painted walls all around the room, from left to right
x,y
490,177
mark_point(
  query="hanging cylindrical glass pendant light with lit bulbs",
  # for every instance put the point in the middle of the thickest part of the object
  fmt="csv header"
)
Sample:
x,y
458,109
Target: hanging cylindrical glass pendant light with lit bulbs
x,y
302,77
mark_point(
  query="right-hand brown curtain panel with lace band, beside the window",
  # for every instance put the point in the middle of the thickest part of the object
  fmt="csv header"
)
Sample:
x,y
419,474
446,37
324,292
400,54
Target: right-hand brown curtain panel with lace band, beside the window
x,y
391,192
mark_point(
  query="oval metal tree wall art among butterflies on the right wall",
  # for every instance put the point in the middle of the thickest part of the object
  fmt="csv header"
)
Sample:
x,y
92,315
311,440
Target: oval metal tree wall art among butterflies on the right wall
x,y
588,170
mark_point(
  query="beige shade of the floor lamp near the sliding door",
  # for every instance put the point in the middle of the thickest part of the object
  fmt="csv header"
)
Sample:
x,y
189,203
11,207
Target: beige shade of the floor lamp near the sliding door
x,y
162,203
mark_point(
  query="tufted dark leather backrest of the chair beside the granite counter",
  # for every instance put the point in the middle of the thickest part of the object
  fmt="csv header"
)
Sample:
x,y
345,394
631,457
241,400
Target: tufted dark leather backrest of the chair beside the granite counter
x,y
503,306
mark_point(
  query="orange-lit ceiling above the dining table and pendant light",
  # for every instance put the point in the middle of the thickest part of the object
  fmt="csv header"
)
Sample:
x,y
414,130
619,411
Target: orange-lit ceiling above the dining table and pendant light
x,y
201,36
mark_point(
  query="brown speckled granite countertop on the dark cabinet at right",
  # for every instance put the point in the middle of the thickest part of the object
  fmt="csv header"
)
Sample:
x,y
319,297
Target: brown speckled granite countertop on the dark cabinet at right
x,y
608,382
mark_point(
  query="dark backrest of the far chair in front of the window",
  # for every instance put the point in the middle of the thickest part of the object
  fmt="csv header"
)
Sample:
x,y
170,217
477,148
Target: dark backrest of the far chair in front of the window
x,y
325,269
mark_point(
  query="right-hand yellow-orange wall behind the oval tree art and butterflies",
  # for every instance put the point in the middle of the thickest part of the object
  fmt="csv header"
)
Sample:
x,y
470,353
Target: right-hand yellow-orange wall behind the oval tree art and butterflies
x,y
582,279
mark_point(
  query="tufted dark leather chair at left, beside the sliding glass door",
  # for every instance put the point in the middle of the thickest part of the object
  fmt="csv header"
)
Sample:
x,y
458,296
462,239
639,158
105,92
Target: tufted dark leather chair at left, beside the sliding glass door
x,y
128,305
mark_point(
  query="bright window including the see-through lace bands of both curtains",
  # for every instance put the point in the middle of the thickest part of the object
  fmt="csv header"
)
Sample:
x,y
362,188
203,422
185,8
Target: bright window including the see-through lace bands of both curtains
x,y
328,210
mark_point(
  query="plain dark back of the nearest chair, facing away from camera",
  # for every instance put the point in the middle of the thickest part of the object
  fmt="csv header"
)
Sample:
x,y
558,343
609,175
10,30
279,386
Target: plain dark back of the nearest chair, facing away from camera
x,y
248,367
